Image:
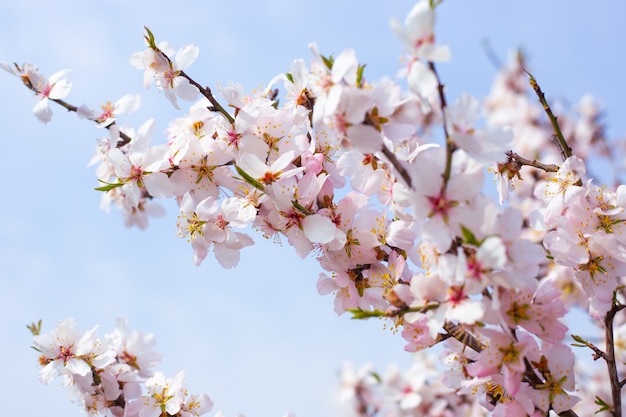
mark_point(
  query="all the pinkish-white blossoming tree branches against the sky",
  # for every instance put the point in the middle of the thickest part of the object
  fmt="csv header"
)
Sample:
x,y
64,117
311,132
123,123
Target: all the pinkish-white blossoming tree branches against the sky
x,y
385,187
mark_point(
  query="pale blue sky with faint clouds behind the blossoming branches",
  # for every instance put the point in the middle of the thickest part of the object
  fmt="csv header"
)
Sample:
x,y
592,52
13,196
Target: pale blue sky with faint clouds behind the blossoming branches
x,y
258,339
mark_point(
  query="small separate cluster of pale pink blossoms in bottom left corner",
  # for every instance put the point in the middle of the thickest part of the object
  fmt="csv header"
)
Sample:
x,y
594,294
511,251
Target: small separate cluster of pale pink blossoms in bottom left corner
x,y
106,374
